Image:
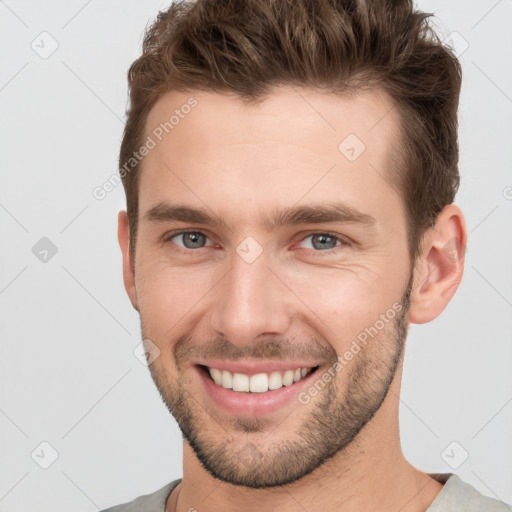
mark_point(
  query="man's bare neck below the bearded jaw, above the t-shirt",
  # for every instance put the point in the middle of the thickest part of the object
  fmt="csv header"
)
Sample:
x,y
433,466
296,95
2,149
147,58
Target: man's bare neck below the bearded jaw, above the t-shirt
x,y
370,474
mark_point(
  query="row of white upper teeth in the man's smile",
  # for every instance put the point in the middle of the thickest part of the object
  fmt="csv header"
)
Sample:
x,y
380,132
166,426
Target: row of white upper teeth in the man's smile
x,y
258,383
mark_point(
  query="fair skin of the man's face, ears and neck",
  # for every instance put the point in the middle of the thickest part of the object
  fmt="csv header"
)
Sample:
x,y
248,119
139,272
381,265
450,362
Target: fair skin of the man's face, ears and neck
x,y
295,300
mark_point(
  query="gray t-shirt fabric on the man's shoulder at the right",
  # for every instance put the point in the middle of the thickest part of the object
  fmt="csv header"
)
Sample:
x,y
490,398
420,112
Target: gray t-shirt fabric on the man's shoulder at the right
x,y
459,496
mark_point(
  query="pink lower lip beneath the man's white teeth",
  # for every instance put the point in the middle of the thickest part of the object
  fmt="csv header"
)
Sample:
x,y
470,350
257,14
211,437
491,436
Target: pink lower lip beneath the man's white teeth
x,y
252,404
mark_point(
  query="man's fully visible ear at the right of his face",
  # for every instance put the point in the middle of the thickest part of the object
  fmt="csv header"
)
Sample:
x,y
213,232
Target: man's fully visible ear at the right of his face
x,y
439,266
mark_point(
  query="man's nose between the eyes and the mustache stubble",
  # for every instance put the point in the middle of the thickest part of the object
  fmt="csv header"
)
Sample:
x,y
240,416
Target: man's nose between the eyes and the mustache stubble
x,y
250,301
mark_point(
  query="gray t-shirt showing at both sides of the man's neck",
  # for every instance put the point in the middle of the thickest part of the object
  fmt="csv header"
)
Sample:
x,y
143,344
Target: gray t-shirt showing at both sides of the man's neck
x,y
455,496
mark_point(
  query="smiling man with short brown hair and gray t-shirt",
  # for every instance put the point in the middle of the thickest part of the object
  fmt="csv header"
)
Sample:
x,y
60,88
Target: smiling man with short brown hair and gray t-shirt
x,y
290,170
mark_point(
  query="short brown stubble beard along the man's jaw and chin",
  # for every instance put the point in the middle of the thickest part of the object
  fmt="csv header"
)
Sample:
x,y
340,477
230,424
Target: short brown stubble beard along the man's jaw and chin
x,y
247,455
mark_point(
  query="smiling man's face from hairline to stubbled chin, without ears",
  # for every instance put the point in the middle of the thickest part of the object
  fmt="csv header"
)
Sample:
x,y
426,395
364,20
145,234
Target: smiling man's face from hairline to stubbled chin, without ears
x,y
261,291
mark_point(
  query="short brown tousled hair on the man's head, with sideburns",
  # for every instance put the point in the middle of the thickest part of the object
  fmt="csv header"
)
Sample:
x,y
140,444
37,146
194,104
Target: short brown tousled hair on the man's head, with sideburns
x,y
247,46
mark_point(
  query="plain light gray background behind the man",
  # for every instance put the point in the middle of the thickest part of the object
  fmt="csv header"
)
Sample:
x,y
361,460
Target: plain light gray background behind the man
x,y
69,375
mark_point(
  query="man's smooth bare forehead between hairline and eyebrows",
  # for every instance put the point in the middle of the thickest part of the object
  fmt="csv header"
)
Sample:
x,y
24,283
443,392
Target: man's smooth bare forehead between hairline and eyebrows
x,y
297,142
